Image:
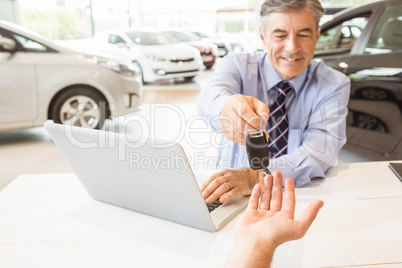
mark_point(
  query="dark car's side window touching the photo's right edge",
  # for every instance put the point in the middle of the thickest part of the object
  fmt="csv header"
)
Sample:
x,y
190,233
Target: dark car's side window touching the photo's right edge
x,y
387,35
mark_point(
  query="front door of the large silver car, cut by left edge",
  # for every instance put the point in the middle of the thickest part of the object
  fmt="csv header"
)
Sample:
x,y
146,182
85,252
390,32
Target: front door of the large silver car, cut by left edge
x,y
18,85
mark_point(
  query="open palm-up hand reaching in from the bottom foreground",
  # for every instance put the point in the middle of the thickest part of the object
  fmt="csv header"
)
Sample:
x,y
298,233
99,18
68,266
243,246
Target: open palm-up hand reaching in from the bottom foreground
x,y
265,226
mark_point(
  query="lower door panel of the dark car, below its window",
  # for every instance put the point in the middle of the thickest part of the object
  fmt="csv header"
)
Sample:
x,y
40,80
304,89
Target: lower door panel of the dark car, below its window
x,y
375,118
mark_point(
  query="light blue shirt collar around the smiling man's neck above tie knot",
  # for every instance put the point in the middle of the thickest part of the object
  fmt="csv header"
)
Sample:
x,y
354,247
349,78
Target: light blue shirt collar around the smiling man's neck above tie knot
x,y
273,78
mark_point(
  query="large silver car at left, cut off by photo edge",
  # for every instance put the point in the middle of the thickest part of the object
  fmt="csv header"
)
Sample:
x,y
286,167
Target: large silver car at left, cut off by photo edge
x,y
40,80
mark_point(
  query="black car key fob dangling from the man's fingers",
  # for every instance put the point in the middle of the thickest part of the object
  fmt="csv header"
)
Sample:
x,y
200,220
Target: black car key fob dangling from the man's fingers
x,y
258,153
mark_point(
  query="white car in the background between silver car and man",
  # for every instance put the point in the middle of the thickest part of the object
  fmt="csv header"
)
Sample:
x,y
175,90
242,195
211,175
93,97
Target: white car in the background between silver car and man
x,y
157,55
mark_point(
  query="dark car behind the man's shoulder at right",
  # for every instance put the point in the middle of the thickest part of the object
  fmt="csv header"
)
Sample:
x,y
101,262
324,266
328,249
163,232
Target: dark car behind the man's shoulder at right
x,y
373,61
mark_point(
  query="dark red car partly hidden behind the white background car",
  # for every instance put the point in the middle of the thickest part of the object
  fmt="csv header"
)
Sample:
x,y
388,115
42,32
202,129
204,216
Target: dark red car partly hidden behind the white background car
x,y
208,51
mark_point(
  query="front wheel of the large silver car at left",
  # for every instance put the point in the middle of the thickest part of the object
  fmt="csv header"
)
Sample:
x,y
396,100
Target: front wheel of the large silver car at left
x,y
80,106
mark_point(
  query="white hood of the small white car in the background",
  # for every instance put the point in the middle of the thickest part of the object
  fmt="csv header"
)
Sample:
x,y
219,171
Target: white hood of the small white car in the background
x,y
171,51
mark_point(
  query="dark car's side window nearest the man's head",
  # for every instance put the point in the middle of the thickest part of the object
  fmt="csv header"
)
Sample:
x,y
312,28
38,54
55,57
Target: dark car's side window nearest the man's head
x,y
341,38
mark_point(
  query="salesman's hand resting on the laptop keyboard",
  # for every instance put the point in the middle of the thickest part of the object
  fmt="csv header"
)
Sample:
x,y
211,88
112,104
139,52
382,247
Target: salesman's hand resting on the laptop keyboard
x,y
231,182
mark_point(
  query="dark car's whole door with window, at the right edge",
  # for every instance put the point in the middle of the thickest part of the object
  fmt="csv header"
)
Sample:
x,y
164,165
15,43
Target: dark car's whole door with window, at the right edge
x,y
375,117
